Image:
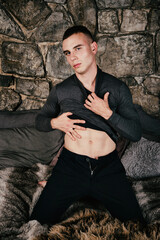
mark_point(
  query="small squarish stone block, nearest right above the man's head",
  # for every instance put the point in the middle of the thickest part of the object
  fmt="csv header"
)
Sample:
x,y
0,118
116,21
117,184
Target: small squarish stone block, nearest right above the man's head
x,y
107,21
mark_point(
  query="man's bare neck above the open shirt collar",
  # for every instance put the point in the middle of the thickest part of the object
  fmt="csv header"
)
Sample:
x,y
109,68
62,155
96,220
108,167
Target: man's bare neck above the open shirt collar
x,y
88,78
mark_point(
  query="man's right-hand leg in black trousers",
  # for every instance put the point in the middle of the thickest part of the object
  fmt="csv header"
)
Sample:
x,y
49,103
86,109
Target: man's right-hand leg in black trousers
x,y
112,188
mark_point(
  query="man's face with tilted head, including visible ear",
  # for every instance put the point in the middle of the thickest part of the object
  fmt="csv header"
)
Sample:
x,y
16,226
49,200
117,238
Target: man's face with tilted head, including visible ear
x,y
80,52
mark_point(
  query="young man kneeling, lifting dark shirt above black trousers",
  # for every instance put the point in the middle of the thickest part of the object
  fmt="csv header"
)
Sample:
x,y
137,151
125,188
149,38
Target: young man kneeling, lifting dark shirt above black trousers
x,y
90,107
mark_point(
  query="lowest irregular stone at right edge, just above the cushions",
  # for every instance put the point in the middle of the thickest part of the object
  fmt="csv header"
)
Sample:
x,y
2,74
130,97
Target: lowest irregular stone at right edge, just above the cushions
x,y
149,102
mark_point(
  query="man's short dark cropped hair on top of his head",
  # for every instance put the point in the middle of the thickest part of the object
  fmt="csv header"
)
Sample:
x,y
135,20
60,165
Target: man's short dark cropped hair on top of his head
x,y
77,29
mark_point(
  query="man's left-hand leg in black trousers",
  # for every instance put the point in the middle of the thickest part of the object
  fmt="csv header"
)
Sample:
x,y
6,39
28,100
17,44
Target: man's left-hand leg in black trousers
x,y
63,188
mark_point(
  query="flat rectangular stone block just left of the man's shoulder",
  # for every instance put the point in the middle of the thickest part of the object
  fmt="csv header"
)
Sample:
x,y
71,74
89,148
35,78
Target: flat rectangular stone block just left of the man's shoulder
x,y
32,88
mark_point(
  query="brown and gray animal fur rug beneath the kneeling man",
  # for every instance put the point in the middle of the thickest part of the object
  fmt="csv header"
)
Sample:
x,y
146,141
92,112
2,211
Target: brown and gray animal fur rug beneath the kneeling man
x,y
19,191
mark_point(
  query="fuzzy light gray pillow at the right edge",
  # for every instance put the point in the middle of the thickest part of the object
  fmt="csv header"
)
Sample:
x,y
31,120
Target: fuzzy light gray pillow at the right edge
x,y
142,159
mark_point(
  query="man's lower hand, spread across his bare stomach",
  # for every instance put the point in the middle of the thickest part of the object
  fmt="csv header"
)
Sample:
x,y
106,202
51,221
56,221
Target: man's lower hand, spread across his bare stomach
x,y
67,125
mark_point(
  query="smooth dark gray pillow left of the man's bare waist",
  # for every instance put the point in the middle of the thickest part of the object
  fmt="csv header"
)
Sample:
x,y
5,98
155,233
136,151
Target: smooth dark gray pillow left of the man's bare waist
x,y
27,146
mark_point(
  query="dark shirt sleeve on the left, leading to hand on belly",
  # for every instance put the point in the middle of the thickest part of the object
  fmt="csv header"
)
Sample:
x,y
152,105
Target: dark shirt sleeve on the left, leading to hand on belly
x,y
50,110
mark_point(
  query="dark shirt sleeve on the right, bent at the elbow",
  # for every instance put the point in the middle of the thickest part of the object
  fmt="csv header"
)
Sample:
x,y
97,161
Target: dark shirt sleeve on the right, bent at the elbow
x,y
125,119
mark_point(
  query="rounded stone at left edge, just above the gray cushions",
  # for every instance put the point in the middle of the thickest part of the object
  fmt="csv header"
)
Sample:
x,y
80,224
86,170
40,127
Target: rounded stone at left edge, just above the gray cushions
x,y
9,99
